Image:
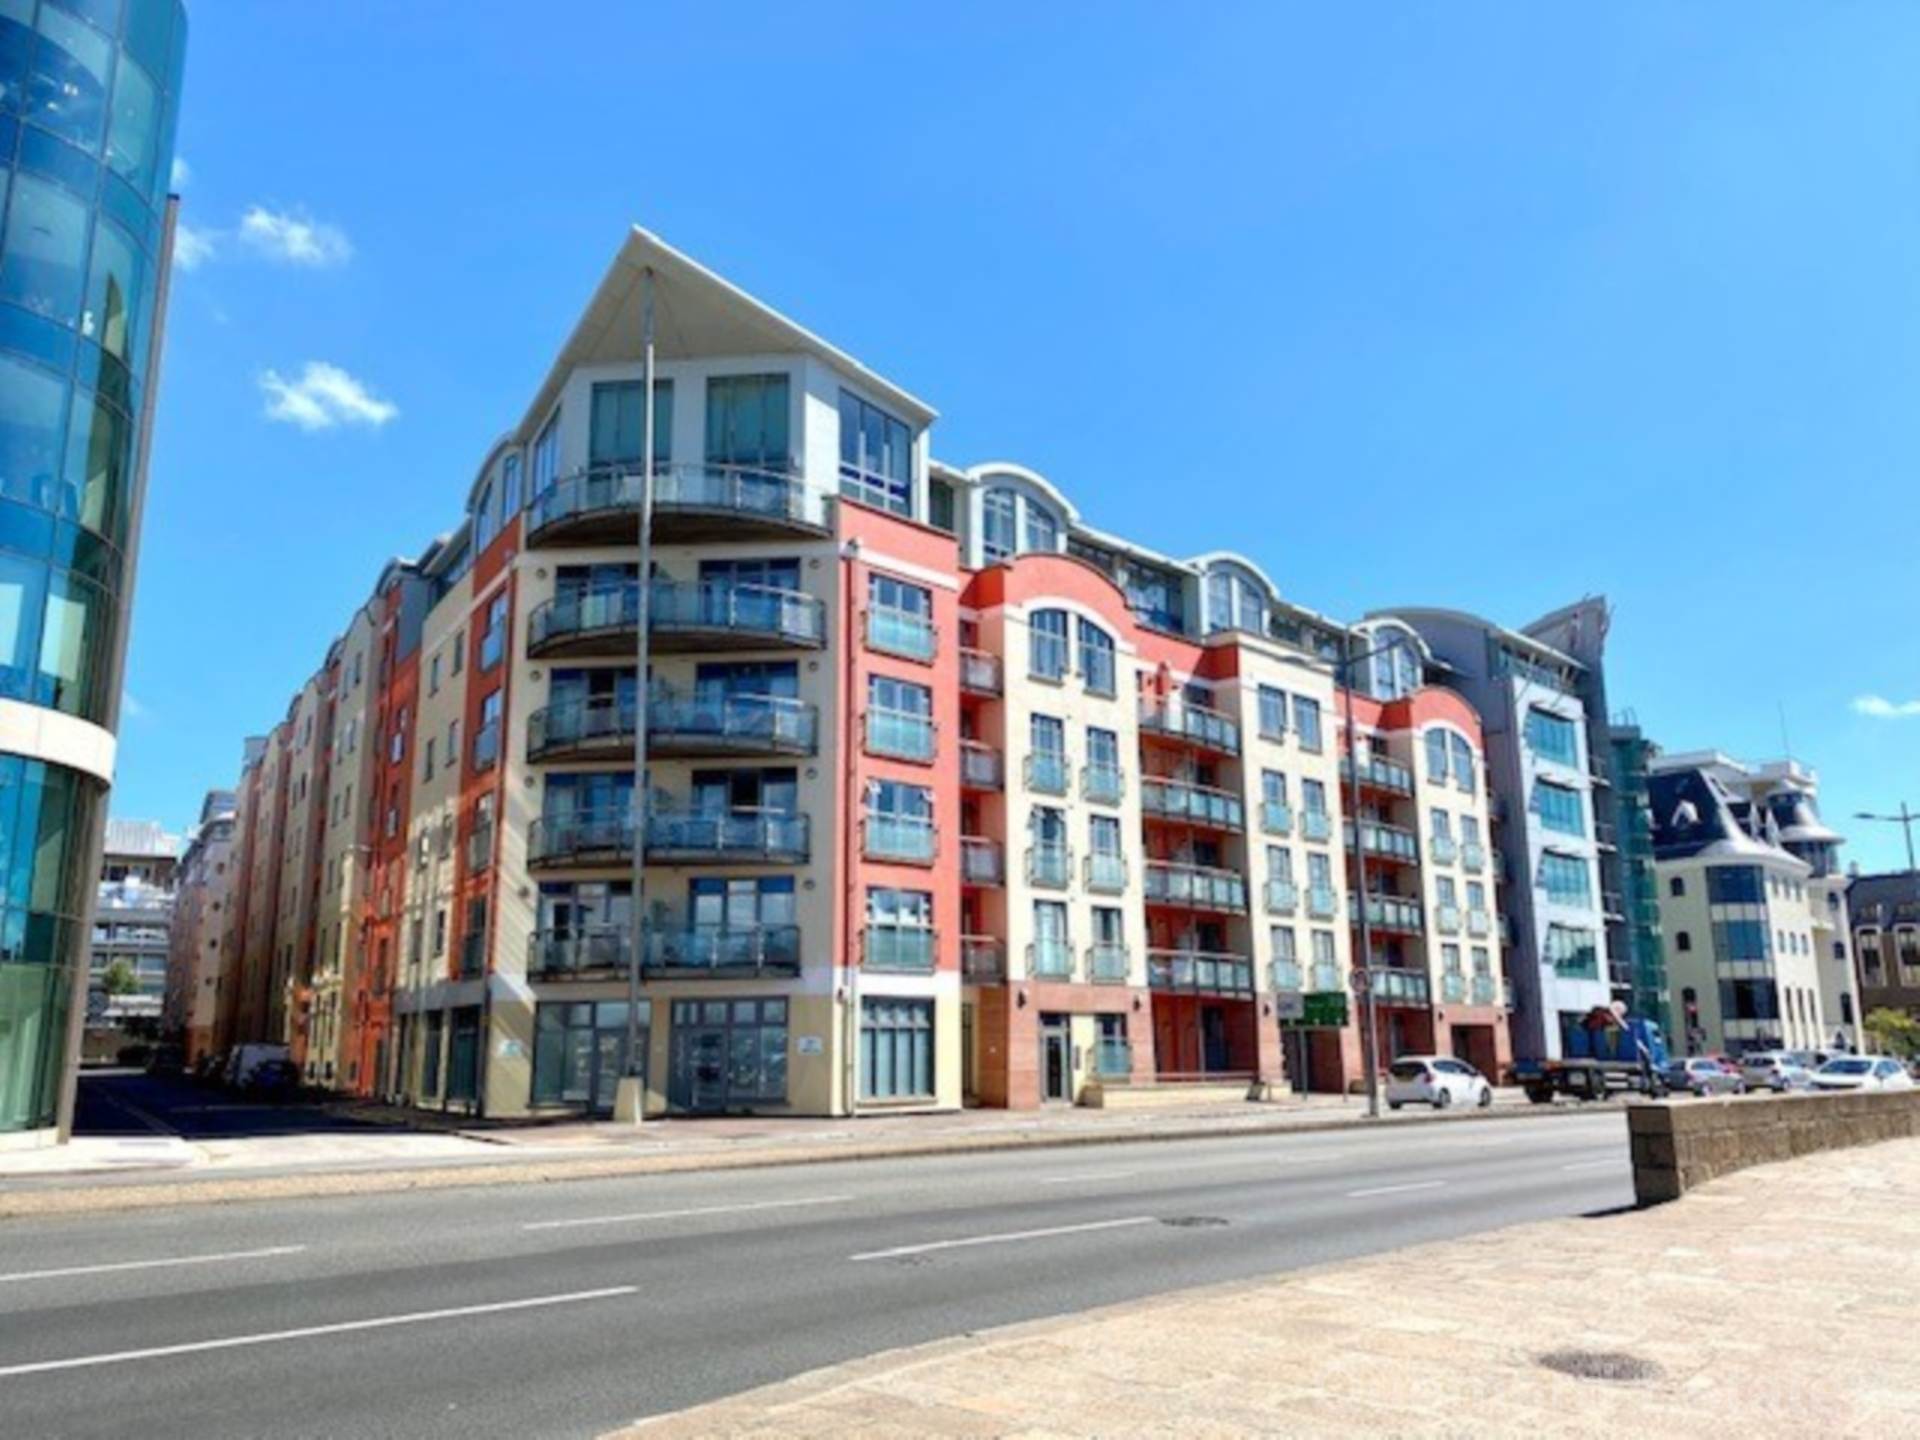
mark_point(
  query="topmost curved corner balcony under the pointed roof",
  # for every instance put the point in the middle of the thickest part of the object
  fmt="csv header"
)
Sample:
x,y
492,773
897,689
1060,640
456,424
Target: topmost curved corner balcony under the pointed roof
x,y
690,504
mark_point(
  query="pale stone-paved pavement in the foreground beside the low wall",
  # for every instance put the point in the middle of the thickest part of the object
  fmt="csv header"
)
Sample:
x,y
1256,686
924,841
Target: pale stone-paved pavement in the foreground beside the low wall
x,y
1779,1301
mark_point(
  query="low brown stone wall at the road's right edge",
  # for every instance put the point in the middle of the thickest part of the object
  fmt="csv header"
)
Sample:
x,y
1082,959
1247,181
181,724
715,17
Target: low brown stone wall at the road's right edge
x,y
1685,1143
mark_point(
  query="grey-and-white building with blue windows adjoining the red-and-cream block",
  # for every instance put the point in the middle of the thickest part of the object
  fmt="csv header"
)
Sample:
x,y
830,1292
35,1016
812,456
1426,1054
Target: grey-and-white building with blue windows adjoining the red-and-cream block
x,y
1539,708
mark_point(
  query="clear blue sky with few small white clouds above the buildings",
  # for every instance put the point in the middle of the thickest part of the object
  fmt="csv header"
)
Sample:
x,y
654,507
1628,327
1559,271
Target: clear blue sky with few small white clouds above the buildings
x,y
1456,304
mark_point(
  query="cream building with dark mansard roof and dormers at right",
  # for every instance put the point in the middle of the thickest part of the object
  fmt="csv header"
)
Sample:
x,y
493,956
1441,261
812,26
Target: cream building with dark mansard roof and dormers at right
x,y
1754,907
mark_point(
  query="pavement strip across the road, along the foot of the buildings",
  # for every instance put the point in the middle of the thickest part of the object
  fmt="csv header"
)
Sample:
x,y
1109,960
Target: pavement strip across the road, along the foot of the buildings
x,y
155,1141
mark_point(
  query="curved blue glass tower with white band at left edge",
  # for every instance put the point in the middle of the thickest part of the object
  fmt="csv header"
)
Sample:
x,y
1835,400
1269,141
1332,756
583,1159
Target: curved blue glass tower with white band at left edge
x,y
89,97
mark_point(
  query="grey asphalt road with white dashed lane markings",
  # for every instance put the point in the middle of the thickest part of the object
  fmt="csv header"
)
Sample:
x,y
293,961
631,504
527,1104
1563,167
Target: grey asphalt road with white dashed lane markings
x,y
573,1308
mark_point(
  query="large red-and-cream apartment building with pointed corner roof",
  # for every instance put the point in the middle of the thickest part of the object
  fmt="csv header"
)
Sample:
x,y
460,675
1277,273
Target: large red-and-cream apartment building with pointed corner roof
x,y
948,796
